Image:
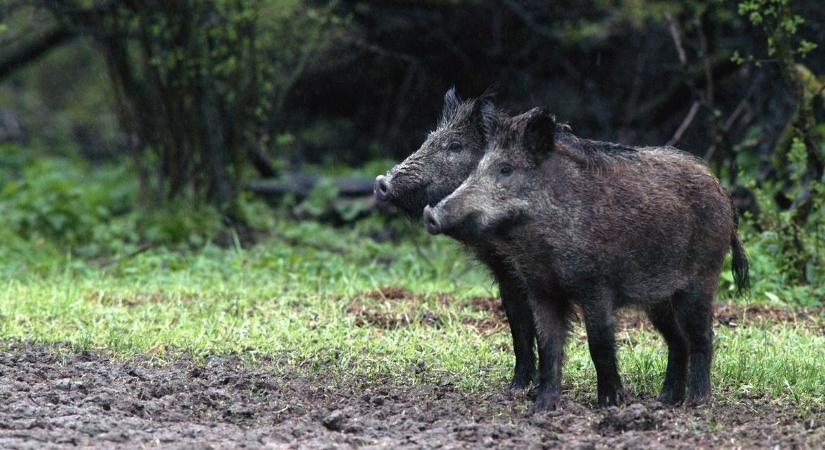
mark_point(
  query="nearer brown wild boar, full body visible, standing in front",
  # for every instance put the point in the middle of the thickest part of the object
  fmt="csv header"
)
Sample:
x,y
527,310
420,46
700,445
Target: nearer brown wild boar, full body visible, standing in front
x,y
602,226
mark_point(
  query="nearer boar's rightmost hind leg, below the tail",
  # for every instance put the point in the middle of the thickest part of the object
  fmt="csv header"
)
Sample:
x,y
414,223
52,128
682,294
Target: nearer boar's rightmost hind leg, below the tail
x,y
694,311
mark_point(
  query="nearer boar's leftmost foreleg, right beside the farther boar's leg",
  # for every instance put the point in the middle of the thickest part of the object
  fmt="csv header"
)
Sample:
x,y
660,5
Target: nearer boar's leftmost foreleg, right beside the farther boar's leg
x,y
550,316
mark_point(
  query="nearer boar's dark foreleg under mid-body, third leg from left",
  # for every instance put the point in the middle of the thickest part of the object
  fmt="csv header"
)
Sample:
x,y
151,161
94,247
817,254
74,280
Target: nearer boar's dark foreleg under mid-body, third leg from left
x,y
597,309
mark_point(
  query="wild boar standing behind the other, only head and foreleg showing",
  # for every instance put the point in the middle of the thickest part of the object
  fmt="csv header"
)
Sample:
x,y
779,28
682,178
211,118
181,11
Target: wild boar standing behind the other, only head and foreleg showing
x,y
445,159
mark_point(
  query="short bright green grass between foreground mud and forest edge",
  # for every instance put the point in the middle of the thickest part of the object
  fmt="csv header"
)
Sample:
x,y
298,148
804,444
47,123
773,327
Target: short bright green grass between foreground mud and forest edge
x,y
292,296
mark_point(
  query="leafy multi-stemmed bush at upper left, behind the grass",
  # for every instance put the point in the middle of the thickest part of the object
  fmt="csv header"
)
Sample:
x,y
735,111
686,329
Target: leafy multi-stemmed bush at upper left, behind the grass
x,y
195,83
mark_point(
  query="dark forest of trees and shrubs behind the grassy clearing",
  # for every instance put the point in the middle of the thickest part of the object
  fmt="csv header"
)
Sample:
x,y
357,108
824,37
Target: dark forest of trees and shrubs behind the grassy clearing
x,y
144,114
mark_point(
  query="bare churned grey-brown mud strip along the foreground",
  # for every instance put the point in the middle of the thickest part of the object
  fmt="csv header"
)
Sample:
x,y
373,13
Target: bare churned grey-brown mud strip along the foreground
x,y
64,400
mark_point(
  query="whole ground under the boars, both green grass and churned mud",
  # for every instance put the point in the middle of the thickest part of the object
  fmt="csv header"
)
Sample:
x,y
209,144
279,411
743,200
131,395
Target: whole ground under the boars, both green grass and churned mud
x,y
323,337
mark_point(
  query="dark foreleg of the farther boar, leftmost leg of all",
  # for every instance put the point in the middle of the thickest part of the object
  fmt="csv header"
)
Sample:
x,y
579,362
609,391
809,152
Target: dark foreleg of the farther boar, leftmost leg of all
x,y
521,327
